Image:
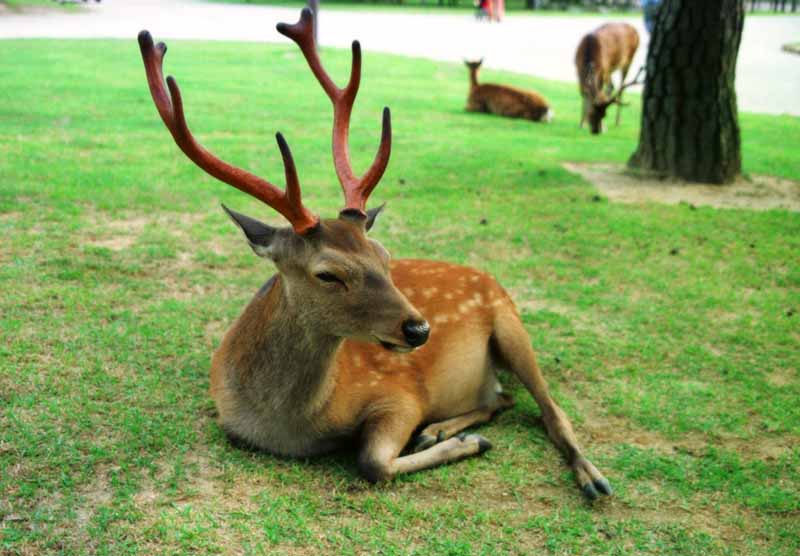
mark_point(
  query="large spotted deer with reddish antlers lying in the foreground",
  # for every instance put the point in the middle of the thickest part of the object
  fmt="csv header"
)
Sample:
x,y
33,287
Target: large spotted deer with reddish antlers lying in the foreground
x,y
344,345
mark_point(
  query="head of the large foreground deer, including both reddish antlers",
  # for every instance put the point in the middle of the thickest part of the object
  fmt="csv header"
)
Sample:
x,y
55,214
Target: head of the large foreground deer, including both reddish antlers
x,y
333,276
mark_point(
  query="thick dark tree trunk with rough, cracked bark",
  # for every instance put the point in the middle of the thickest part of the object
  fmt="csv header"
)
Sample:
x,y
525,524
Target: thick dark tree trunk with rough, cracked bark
x,y
690,126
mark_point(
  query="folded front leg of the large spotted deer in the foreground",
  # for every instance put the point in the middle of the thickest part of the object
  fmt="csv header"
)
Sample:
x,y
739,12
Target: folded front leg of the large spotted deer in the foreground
x,y
385,436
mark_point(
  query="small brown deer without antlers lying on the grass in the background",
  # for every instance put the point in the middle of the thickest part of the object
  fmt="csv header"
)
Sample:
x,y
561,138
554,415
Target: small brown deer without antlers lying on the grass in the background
x,y
503,100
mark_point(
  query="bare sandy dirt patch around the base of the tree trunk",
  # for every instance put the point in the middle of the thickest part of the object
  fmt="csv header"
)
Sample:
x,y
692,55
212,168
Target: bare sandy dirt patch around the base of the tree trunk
x,y
622,186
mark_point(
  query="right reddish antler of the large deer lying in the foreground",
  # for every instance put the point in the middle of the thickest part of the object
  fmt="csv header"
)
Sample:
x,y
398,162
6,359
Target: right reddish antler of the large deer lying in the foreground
x,y
356,190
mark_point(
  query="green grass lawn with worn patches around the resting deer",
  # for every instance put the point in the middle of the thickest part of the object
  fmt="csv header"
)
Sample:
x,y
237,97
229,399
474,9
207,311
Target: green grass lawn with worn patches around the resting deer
x,y
668,333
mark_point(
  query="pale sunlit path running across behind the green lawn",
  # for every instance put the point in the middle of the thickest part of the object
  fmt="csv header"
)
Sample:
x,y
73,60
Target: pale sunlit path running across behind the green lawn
x,y
768,79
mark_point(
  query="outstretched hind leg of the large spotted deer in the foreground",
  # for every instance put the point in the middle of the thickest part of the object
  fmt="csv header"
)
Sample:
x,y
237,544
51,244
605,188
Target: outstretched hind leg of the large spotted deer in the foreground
x,y
514,348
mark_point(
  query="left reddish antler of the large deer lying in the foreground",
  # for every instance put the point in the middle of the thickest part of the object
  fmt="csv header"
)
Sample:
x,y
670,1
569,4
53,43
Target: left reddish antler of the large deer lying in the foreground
x,y
170,107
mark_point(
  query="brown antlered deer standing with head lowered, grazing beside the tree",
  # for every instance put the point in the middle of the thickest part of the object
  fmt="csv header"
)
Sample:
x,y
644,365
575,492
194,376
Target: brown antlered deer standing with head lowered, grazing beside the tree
x,y
608,48
